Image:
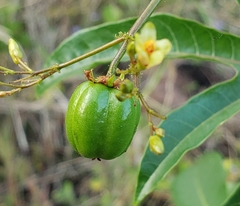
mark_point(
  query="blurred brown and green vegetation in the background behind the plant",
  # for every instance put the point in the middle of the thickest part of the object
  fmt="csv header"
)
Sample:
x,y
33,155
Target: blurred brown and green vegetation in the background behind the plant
x,y
37,166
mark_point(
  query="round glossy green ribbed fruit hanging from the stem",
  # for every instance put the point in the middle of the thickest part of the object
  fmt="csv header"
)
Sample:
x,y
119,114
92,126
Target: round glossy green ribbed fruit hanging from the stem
x,y
97,124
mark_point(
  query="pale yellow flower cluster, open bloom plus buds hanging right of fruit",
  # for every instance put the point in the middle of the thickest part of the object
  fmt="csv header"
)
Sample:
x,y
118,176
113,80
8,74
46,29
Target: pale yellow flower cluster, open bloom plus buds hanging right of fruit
x,y
145,52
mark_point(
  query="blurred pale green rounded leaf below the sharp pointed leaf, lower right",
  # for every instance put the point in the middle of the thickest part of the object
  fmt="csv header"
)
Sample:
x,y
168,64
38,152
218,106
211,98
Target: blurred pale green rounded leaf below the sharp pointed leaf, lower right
x,y
201,184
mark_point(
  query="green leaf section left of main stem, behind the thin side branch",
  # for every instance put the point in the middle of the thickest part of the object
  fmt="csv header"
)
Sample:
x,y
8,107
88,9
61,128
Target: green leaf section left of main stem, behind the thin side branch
x,y
80,43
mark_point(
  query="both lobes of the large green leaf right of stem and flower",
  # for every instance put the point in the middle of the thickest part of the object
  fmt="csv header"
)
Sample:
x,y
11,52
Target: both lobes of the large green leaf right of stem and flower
x,y
189,126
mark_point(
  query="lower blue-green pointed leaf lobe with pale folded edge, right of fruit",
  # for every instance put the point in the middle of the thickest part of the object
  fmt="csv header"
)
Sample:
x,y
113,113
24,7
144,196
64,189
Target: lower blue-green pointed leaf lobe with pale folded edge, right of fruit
x,y
187,128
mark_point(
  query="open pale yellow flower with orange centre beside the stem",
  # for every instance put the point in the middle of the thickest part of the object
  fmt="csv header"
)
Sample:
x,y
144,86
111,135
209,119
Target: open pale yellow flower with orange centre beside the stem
x,y
150,51
